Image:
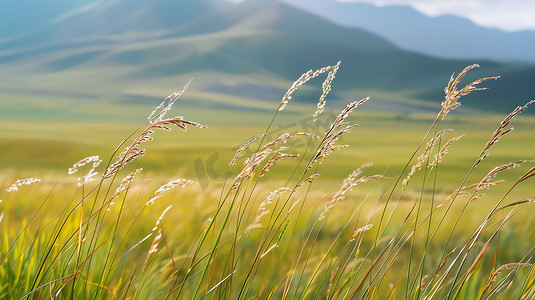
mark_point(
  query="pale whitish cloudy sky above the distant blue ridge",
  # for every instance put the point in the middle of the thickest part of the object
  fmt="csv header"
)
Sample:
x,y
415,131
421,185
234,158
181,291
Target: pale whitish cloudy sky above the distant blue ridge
x,y
509,15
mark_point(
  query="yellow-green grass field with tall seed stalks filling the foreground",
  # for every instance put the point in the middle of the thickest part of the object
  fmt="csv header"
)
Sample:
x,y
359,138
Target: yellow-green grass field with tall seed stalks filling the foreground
x,y
237,235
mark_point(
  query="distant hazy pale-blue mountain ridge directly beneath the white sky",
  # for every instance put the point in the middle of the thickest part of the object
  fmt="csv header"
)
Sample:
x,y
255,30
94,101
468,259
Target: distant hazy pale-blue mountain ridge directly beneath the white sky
x,y
444,36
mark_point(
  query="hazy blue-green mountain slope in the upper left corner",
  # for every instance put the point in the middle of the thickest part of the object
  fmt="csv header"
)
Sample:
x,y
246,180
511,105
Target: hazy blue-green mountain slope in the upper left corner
x,y
109,20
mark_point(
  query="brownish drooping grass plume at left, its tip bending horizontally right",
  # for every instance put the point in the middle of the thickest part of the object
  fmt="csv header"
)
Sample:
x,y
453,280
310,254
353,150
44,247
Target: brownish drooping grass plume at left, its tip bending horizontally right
x,y
133,151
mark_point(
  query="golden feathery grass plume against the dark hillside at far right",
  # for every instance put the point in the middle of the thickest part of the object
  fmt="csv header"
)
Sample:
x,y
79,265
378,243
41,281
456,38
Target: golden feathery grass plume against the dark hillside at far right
x,y
452,94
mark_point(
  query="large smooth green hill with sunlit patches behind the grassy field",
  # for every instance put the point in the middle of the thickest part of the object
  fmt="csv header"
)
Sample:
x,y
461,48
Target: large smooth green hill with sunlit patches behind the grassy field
x,y
241,54
